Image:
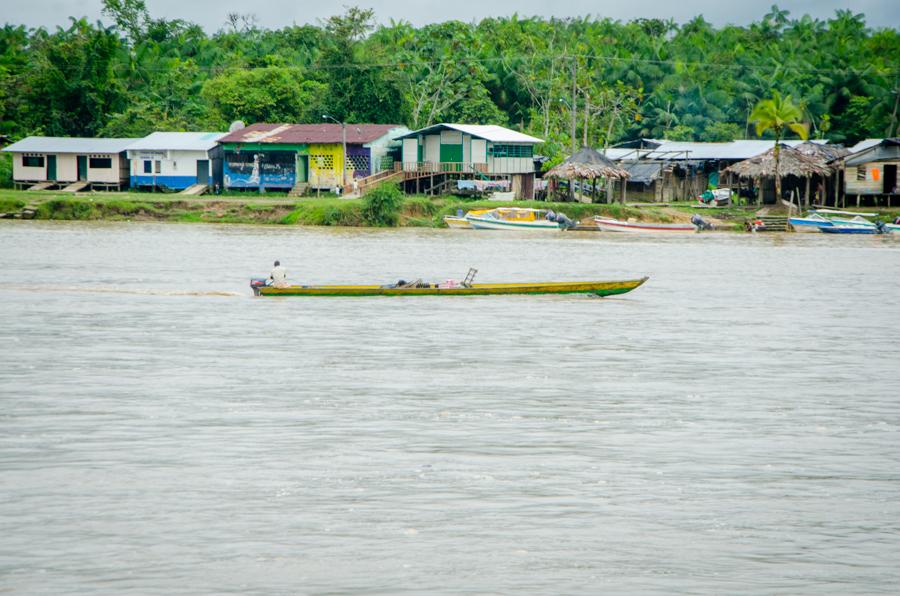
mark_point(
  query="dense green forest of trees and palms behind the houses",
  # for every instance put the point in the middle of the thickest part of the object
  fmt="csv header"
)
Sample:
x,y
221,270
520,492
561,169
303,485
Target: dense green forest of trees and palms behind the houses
x,y
647,77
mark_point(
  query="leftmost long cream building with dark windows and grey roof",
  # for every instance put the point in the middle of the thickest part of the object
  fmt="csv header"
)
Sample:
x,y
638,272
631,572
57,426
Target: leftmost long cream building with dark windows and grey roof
x,y
63,161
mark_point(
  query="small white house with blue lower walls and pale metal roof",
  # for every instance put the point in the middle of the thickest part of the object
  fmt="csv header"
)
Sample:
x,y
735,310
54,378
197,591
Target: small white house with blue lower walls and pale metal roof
x,y
176,160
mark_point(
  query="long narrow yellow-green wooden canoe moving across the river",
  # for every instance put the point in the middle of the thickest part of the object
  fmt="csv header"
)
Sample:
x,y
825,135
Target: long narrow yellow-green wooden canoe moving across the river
x,y
598,288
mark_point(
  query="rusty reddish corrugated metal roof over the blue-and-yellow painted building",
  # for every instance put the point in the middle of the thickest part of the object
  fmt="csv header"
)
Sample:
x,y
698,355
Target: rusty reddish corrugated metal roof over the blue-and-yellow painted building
x,y
324,132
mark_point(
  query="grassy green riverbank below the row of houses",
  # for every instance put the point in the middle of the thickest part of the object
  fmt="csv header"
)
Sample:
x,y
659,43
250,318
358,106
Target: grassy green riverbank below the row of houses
x,y
414,211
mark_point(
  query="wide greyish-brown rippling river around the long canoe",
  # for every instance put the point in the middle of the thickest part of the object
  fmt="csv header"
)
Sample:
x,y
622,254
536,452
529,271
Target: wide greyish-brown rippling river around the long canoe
x,y
732,426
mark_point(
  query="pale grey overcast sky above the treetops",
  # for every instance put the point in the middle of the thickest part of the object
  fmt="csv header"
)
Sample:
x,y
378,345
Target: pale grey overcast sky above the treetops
x,y
278,13
